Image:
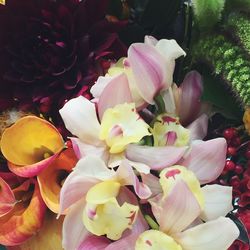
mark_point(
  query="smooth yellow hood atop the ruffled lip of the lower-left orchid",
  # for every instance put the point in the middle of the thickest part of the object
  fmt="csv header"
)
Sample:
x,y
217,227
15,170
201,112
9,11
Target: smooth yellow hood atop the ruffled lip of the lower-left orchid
x,y
103,192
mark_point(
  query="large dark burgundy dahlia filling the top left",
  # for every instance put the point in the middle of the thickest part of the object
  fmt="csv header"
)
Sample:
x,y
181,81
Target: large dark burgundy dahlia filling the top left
x,y
52,50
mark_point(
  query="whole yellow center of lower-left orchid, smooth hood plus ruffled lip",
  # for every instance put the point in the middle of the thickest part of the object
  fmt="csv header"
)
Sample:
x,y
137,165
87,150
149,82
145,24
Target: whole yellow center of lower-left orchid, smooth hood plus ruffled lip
x,y
103,215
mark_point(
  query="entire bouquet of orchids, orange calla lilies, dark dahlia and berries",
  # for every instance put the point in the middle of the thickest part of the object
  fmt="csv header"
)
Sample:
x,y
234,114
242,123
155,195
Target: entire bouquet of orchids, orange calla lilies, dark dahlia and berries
x,y
130,157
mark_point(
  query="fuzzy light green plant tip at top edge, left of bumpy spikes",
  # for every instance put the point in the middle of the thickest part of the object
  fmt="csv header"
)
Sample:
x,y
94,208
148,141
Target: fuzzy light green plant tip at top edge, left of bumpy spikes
x,y
208,12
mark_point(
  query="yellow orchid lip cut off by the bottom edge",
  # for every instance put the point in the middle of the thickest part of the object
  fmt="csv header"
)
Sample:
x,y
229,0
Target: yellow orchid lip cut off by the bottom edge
x,y
156,240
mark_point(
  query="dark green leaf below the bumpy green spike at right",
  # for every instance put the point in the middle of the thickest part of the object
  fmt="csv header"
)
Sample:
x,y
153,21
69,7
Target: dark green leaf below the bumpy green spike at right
x,y
217,93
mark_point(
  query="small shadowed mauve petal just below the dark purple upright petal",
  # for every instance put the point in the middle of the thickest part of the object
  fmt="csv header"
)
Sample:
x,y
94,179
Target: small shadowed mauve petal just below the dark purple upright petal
x,y
198,128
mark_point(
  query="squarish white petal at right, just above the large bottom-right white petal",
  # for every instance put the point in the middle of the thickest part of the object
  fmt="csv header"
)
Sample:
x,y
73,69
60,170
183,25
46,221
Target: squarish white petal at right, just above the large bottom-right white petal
x,y
218,201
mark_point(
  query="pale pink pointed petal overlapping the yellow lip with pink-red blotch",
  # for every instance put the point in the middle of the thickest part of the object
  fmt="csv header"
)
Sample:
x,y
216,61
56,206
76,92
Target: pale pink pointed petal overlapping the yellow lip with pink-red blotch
x,y
179,209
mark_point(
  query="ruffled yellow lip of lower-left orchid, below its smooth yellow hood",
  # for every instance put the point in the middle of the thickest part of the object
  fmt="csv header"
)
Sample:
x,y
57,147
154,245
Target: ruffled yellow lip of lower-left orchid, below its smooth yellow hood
x,y
111,219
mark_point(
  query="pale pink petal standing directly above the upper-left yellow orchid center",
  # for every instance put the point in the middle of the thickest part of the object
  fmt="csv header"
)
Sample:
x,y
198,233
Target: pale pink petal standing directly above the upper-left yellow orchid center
x,y
120,87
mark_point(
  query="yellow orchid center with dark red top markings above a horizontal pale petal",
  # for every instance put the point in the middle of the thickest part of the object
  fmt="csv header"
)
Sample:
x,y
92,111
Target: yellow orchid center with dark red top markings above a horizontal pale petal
x,y
167,130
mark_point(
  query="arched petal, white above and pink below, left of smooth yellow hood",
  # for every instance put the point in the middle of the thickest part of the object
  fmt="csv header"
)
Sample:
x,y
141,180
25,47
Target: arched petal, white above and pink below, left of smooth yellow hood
x,y
88,172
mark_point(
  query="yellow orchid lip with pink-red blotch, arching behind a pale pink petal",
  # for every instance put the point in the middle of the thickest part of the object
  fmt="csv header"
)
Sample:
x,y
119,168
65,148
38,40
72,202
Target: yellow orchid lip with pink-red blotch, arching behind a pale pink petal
x,y
170,176
